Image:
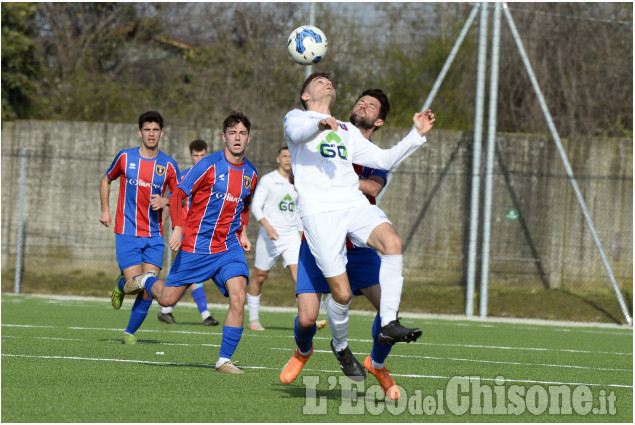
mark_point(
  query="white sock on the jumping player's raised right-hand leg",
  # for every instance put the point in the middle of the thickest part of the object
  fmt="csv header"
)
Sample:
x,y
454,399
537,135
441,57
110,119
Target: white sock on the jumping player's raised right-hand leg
x,y
391,283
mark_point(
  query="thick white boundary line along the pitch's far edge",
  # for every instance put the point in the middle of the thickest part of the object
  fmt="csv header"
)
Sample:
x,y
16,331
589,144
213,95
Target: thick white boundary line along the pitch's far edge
x,y
450,317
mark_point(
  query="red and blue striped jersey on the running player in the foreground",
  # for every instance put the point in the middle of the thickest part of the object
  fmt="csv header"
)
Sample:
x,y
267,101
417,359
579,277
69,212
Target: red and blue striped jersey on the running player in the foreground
x,y
220,194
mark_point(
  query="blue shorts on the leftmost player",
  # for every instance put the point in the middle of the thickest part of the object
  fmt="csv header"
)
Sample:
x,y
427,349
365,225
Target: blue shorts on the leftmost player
x,y
134,250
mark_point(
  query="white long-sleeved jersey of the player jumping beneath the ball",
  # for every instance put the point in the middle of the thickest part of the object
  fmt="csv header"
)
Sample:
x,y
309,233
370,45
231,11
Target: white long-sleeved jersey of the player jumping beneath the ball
x,y
322,161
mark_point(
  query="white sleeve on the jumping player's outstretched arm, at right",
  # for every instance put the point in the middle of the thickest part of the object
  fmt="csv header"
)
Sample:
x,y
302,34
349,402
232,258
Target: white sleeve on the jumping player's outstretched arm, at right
x,y
368,154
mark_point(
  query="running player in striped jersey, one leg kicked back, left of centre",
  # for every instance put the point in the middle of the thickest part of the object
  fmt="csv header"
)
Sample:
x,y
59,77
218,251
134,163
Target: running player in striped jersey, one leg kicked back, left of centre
x,y
212,240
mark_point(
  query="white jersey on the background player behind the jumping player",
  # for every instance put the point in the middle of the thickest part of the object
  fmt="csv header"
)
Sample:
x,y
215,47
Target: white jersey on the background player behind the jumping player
x,y
275,199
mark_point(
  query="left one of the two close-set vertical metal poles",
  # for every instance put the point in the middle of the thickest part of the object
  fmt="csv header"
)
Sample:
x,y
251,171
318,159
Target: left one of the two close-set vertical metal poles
x,y
476,161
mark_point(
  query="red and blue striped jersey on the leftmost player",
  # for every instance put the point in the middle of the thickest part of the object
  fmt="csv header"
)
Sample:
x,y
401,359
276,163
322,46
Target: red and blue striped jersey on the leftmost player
x,y
140,178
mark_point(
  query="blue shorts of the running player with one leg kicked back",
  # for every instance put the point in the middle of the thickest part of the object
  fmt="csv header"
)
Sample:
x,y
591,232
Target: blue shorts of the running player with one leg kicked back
x,y
189,268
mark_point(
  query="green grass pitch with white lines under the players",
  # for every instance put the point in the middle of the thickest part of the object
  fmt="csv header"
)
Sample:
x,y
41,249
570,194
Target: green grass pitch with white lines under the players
x,y
63,361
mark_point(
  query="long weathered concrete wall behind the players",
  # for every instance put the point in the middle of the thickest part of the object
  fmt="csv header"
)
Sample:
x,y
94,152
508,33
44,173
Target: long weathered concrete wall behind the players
x,y
546,245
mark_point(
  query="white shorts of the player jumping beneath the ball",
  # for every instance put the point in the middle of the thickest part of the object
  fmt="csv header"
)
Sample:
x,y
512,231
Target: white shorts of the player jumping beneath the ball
x,y
326,234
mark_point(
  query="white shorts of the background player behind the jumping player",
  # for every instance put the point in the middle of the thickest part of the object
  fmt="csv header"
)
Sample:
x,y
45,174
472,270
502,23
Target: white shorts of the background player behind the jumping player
x,y
268,251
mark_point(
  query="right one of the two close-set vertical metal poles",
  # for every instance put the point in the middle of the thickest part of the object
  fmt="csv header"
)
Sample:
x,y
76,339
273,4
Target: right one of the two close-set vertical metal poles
x,y
489,168
